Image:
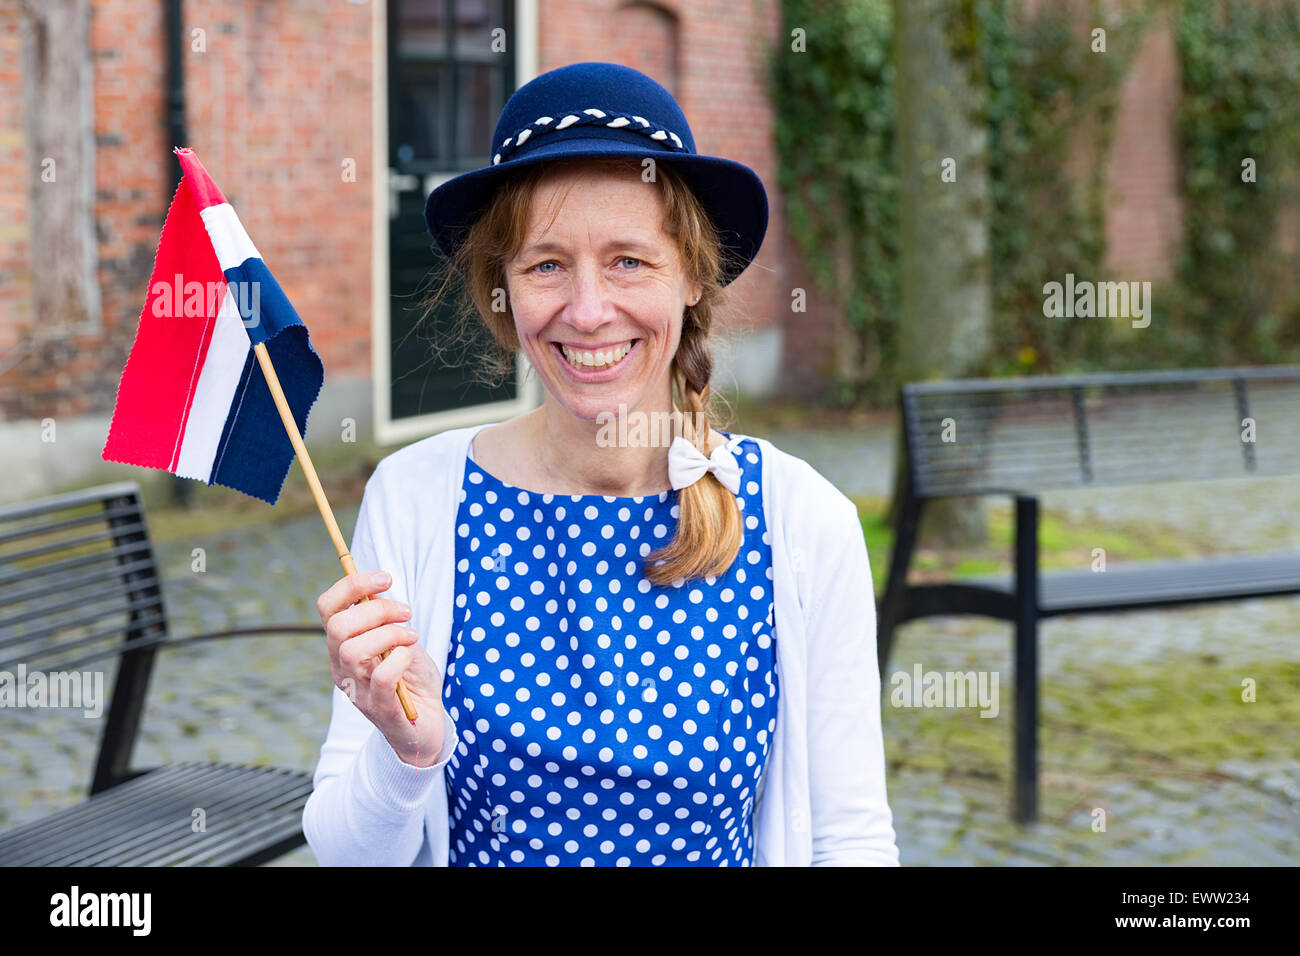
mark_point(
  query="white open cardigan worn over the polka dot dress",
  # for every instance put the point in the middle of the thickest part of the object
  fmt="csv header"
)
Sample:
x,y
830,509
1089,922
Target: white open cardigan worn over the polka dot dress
x,y
822,797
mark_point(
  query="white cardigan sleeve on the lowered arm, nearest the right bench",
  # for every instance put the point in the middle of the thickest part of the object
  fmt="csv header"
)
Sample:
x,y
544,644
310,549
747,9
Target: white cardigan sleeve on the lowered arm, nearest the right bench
x,y
852,823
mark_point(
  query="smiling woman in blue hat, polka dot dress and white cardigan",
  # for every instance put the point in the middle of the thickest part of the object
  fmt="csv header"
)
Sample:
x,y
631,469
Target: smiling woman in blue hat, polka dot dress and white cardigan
x,y
622,651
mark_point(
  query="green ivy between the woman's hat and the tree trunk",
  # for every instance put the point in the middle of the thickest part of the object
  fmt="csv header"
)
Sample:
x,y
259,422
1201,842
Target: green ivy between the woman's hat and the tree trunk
x,y
833,92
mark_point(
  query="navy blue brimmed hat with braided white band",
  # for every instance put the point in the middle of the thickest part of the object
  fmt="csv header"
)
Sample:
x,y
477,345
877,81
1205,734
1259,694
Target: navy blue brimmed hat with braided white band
x,y
605,110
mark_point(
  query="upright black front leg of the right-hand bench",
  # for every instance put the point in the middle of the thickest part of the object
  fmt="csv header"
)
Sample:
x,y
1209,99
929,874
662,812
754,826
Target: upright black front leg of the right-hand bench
x,y
1026,660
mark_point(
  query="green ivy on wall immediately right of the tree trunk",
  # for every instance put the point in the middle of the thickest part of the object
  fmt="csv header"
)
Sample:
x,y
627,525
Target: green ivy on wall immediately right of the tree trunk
x,y
1054,88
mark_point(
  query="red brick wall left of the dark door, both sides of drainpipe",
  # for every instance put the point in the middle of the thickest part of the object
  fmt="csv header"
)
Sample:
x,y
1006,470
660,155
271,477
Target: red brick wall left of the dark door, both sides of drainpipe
x,y
276,102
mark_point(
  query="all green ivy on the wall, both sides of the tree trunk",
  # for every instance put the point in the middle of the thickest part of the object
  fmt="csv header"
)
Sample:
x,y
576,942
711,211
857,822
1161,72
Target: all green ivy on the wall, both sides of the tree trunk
x,y
1050,110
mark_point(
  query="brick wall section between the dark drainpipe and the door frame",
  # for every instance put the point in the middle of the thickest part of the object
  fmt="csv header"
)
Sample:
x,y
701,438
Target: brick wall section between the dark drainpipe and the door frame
x,y
278,105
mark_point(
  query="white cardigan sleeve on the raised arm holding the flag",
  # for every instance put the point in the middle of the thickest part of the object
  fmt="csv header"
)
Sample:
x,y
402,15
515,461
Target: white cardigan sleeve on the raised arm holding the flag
x,y
367,806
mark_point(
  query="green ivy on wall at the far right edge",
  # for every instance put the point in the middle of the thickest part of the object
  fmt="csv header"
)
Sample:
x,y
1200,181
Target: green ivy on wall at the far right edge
x,y
1237,297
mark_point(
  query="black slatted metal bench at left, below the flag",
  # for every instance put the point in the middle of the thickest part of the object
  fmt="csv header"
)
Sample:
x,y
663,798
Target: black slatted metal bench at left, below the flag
x,y
80,586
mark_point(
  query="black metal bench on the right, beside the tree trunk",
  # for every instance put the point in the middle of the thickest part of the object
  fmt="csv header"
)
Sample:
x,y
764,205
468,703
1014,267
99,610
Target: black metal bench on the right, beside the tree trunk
x,y
1025,436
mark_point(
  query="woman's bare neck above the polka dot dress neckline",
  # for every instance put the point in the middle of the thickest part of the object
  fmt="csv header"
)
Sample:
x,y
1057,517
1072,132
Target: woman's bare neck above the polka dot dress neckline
x,y
578,455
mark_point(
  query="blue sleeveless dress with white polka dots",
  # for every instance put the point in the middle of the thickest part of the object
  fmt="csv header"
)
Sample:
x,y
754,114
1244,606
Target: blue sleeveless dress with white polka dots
x,y
604,721
